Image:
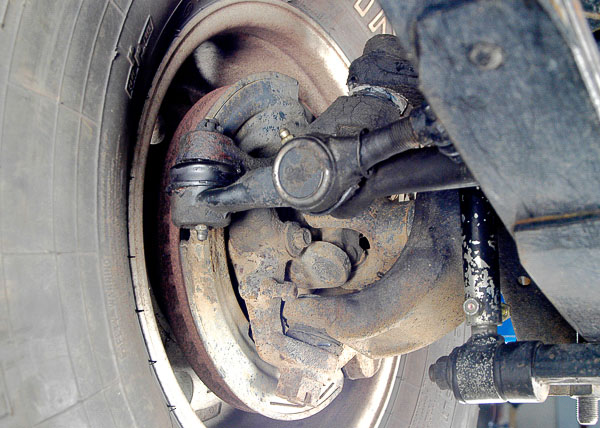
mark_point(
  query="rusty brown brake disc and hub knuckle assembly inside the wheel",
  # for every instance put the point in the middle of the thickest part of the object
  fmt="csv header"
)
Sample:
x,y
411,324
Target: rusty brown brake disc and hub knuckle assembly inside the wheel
x,y
292,369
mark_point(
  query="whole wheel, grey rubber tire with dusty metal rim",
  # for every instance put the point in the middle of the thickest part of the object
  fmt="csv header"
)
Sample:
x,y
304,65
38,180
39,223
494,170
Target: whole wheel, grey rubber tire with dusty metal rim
x,y
83,341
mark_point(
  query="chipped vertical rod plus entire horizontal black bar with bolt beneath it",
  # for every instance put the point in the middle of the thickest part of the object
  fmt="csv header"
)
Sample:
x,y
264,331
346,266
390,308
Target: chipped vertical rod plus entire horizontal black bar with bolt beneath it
x,y
487,370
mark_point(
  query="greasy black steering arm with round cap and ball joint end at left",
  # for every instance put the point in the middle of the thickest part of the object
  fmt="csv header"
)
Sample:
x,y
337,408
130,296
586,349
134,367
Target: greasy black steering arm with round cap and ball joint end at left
x,y
317,173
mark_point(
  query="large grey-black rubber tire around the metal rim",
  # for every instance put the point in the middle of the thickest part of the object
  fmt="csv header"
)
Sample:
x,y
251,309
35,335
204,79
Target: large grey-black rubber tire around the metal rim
x,y
71,349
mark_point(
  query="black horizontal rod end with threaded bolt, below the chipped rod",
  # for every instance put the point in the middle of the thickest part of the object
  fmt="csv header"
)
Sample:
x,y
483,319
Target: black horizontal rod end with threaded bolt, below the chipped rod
x,y
487,370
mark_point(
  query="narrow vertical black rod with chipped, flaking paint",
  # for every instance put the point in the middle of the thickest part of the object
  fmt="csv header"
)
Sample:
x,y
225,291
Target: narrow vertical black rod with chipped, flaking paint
x,y
480,263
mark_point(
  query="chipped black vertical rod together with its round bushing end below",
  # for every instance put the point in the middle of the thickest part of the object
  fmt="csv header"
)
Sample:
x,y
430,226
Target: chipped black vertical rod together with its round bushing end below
x,y
485,369
